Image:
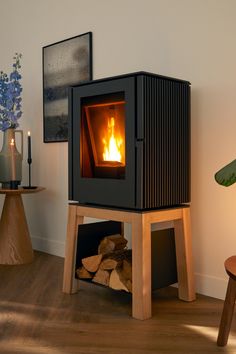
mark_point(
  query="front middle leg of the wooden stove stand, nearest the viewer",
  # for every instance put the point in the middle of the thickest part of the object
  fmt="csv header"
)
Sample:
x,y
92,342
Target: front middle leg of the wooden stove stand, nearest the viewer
x,y
141,268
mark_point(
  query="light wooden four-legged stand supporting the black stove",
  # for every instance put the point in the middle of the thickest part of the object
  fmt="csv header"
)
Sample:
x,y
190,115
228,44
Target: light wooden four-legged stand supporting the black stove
x,y
141,250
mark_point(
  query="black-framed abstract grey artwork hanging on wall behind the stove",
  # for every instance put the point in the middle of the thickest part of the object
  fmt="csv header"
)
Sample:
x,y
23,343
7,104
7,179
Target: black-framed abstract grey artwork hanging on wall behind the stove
x,y
65,63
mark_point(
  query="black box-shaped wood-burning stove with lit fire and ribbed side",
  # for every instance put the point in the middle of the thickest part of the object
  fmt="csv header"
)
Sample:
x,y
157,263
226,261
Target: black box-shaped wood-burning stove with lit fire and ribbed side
x,y
129,142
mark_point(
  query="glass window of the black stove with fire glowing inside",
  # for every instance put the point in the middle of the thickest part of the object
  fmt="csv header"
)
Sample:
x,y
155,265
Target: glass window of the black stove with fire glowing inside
x,y
103,137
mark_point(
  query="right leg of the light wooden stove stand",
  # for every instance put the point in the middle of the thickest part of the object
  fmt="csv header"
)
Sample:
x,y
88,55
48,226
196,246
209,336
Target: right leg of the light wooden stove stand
x,y
183,244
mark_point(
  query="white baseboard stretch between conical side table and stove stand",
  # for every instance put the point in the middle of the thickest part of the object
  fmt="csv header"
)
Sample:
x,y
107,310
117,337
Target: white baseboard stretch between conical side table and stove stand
x,y
54,247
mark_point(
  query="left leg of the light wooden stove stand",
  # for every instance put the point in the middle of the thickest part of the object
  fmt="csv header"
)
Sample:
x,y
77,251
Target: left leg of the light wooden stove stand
x,y
70,283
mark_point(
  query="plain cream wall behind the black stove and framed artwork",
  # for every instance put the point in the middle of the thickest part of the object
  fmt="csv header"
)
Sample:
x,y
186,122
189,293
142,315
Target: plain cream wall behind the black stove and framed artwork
x,y
189,39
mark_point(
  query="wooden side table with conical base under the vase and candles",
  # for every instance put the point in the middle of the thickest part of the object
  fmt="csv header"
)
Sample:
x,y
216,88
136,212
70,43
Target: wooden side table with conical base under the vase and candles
x,y
15,242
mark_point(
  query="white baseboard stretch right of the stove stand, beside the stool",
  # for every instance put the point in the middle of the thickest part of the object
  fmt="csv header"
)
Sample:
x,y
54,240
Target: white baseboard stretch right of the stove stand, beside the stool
x,y
211,286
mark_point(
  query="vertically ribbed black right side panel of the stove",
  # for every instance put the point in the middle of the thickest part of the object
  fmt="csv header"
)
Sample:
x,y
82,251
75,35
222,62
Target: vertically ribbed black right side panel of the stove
x,y
166,173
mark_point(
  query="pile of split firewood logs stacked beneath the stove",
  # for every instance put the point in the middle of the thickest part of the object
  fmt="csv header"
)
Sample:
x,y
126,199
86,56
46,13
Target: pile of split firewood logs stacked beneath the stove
x,y
111,266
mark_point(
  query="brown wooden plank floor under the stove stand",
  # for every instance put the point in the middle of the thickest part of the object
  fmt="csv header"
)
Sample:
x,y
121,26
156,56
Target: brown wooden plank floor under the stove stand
x,y
36,317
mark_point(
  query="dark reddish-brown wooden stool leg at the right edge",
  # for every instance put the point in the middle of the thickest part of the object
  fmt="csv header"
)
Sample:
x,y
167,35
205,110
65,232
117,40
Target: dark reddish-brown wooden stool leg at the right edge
x,y
227,314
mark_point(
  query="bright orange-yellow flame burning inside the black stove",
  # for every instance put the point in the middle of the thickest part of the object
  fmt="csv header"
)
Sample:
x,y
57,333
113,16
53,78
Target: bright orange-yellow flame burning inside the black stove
x,y
112,145
